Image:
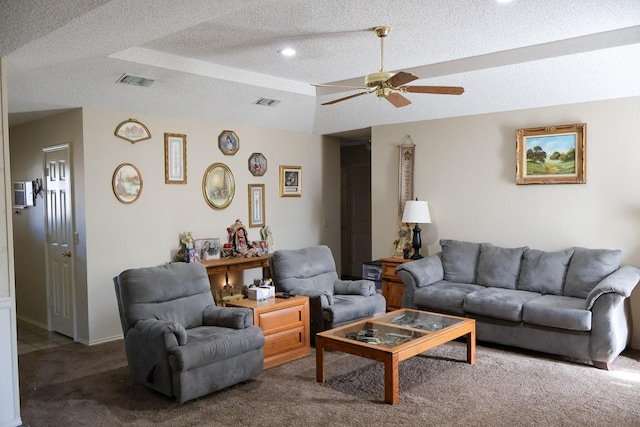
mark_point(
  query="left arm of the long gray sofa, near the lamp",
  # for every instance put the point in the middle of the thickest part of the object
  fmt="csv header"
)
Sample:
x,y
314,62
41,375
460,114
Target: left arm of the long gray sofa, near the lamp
x,y
419,273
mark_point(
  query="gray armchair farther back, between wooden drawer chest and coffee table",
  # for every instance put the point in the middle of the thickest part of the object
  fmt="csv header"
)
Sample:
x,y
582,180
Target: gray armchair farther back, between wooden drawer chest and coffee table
x,y
332,302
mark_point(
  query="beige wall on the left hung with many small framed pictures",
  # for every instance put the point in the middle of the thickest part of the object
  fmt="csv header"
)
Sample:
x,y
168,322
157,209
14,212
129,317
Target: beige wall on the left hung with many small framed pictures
x,y
115,236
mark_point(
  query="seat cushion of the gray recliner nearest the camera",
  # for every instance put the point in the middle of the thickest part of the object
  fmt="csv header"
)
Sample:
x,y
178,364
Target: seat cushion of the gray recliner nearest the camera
x,y
208,344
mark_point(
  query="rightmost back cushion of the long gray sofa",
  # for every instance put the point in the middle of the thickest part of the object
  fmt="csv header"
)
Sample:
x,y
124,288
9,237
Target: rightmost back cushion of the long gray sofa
x,y
587,268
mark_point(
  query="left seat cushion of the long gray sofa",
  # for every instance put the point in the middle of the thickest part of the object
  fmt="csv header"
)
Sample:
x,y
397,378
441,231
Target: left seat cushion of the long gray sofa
x,y
444,296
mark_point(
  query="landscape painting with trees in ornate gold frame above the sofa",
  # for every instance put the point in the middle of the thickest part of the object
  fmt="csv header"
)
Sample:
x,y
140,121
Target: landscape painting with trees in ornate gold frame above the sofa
x,y
551,155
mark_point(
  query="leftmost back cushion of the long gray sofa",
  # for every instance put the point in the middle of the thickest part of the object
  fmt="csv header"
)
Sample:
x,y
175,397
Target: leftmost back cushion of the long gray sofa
x,y
460,260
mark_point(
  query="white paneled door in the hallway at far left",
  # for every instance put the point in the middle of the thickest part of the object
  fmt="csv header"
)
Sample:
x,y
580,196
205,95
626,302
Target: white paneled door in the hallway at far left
x,y
60,248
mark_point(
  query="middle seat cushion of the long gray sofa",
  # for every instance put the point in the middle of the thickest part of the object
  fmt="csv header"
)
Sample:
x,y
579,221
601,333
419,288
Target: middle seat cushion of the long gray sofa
x,y
500,303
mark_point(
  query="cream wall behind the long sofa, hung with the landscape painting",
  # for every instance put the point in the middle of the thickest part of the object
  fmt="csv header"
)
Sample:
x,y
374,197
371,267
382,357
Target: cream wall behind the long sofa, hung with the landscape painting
x,y
465,168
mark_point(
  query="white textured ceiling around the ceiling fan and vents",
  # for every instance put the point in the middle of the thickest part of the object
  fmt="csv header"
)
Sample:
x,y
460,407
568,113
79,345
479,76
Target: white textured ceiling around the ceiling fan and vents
x,y
212,60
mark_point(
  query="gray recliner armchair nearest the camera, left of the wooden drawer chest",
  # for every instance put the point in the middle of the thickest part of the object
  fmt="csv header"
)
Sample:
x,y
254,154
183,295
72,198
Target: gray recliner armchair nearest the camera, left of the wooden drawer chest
x,y
177,341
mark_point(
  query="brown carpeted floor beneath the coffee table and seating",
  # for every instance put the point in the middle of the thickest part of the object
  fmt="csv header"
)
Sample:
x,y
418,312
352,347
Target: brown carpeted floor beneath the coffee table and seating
x,y
75,385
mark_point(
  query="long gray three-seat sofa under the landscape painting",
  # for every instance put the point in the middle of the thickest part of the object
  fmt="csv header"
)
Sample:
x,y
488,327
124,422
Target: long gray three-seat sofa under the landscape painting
x,y
571,303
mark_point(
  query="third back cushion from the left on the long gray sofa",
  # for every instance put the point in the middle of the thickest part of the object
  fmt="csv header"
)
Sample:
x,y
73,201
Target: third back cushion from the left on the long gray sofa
x,y
544,272
